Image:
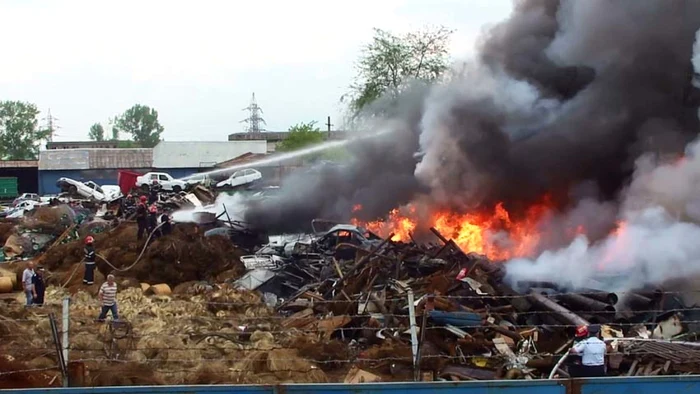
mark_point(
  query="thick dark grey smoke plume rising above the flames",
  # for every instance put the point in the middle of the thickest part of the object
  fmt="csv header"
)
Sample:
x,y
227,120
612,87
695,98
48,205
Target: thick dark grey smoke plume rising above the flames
x,y
562,93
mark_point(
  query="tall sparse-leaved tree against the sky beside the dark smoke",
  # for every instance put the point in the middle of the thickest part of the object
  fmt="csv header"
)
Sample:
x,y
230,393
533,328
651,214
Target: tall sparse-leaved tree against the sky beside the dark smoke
x,y
389,62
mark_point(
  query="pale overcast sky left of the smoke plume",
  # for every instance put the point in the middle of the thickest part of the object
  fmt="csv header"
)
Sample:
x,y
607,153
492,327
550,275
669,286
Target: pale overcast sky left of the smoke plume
x,y
198,62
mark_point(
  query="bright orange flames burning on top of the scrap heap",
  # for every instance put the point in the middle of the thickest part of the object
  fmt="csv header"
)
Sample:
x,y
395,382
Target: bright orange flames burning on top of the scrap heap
x,y
492,232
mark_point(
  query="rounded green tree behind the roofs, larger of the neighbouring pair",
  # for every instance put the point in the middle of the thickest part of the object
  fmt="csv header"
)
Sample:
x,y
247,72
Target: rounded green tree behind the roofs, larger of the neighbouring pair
x,y
142,123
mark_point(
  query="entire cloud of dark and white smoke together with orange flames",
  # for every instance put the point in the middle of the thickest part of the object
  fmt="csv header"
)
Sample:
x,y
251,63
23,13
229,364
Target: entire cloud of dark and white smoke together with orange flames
x,y
561,147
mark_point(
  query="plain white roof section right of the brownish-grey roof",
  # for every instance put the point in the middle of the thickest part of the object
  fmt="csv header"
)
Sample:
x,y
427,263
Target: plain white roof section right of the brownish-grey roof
x,y
196,154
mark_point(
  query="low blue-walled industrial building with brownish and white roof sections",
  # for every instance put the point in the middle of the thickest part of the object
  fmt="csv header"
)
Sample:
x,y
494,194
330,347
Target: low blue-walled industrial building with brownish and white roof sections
x,y
102,165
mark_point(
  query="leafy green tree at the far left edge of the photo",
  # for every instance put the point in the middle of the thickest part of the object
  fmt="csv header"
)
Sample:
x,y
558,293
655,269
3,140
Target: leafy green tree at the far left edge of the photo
x,y
20,135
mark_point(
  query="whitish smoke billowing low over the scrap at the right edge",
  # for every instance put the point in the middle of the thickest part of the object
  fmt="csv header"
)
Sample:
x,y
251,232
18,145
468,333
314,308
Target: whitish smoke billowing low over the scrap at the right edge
x,y
658,240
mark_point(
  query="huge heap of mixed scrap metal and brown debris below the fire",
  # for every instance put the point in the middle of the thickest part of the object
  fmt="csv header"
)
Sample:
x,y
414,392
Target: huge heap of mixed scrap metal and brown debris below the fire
x,y
194,309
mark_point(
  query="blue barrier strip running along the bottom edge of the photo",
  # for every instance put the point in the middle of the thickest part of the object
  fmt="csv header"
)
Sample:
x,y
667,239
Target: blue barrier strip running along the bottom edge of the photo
x,y
636,385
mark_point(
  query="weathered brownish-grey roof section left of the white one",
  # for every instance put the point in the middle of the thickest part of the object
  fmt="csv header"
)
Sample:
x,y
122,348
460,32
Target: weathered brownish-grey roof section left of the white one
x,y
86,159
